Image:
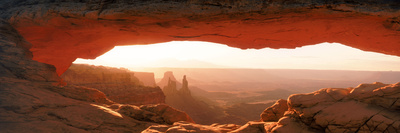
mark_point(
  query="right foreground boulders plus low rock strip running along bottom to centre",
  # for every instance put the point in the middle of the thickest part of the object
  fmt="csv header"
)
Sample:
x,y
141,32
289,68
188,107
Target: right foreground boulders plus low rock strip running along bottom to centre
x,y
366,108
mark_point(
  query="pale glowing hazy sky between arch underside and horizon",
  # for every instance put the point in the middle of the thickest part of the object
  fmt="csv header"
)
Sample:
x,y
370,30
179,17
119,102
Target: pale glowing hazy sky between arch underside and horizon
x,y
190,54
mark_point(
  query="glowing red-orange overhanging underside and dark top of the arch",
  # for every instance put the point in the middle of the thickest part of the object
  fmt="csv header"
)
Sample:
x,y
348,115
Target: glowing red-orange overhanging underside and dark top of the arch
x,y
62,30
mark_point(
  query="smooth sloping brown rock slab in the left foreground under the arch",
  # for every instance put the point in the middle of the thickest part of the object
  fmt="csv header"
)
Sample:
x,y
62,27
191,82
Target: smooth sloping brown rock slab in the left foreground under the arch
x,y
32,101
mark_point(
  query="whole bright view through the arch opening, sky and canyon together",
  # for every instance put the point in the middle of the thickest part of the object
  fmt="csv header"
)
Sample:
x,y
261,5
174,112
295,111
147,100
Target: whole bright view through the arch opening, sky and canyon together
x,y
207,79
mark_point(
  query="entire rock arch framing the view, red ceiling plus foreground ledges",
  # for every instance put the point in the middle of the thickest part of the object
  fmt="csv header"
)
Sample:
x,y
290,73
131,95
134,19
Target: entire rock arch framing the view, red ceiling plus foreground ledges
x,y
62,30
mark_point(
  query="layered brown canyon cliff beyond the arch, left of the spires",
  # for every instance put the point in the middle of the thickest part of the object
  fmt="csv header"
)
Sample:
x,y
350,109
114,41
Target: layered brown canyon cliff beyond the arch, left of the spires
x,y
119,85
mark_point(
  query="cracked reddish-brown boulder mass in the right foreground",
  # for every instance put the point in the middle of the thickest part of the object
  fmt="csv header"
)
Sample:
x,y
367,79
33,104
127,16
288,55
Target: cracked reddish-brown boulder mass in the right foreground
x,y
366,108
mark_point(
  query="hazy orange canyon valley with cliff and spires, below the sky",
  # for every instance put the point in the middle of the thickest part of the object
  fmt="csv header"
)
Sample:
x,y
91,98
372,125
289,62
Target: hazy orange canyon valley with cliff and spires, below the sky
x,y
207,95
